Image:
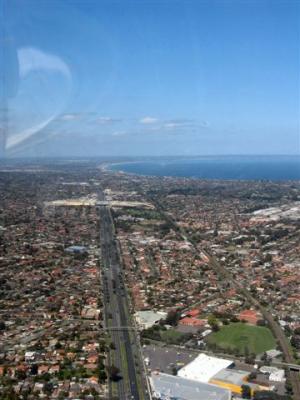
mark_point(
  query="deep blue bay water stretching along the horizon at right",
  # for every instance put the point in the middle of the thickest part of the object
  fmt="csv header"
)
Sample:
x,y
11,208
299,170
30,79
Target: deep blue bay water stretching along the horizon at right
x,y
229,167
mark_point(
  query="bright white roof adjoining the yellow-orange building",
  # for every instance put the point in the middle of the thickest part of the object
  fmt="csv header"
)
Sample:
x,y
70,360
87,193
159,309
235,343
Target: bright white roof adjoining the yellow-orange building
x,y
203,368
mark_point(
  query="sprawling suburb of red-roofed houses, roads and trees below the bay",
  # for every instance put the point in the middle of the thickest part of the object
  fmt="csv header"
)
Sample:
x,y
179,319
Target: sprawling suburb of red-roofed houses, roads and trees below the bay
x,y
118,286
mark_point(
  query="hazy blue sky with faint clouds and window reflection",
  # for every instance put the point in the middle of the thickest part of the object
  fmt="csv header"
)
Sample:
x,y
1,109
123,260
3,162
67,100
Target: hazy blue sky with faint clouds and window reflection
x,y
186,77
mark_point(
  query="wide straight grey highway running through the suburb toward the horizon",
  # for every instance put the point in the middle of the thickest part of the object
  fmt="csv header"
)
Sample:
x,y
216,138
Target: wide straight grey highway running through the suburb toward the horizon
x,y
116,311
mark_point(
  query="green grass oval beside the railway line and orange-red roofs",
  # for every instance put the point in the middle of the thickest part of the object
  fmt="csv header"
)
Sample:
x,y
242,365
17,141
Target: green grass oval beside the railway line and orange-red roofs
x,y
240,335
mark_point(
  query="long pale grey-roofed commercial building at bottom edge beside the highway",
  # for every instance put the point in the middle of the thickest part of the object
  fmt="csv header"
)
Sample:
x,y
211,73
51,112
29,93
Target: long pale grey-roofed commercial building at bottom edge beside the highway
x,y
169,387
